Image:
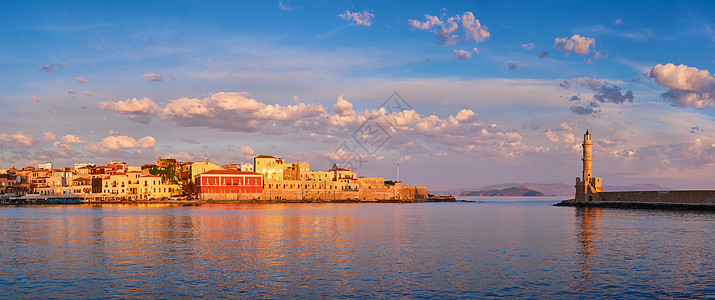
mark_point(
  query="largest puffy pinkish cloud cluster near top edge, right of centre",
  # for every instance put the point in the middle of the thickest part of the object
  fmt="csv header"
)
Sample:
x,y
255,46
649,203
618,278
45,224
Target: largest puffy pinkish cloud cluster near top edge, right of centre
x,y
446,30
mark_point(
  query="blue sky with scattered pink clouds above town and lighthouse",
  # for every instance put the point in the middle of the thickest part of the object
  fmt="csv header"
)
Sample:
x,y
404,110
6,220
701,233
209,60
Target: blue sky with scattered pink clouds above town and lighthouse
x,y
461,94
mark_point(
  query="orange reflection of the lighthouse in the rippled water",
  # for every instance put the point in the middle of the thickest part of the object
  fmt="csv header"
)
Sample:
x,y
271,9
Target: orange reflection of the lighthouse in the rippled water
x,y
588,231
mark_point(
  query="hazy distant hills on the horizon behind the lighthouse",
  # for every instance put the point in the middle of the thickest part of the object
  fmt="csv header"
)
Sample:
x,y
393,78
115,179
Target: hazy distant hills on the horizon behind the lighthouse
x,y
557,189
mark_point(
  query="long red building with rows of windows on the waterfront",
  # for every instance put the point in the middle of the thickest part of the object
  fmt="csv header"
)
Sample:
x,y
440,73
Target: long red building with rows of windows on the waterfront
x,y
221,184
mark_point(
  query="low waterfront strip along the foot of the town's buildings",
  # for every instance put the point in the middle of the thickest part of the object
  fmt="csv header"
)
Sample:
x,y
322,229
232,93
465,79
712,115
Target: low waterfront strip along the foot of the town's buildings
x,y
208,202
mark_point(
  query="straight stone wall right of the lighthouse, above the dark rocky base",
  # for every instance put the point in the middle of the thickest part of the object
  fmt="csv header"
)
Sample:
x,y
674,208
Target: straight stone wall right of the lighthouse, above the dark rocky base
x,y
676,197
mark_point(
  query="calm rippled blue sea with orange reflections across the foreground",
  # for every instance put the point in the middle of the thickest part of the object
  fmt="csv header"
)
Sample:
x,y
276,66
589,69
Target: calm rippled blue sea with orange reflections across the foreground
x,y
497,247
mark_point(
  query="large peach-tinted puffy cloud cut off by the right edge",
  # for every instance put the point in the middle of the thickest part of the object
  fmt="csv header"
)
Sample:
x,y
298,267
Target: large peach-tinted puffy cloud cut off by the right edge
x,y
688,86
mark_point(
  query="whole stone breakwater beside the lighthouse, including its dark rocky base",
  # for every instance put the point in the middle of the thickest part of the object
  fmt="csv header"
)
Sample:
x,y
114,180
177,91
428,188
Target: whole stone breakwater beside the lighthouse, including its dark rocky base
x,y
697,199
